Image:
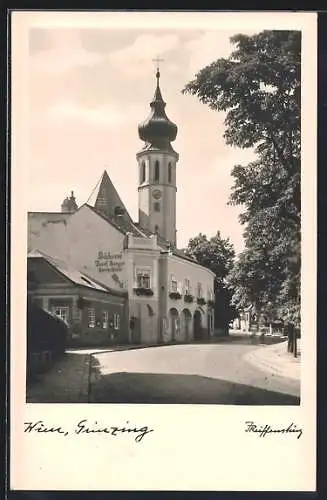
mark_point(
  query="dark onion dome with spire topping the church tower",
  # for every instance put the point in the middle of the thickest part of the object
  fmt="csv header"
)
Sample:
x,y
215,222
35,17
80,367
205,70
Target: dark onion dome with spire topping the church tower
x,y
158,131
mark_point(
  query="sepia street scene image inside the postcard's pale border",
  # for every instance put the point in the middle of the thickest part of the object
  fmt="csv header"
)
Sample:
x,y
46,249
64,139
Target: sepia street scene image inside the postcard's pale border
x,y
164,216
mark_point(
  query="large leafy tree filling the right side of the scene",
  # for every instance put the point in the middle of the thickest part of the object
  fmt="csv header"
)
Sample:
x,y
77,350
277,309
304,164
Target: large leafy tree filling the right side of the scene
x,y
259,89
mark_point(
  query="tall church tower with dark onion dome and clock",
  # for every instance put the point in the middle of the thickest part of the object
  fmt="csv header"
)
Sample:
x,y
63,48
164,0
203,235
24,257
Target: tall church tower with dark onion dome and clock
x,y
157,171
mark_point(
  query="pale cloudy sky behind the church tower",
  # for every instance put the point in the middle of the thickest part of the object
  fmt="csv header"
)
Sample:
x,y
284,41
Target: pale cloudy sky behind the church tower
x,y
89,88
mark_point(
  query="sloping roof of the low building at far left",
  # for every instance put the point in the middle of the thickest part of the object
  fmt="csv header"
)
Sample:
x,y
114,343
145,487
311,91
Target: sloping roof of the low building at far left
x,y
75,276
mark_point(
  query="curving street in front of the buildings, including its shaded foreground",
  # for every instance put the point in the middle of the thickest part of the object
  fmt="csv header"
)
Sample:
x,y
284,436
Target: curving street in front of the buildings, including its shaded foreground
x,y
193,374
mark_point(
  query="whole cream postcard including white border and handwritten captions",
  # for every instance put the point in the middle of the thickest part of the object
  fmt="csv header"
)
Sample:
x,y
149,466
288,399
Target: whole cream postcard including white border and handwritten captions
x,y
163,234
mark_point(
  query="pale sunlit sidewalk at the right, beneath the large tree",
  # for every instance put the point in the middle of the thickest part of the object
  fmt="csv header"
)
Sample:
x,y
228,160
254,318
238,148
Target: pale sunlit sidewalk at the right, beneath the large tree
x,y
275,359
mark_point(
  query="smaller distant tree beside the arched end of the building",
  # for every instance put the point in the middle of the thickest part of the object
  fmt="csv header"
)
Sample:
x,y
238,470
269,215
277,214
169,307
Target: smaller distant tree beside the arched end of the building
x,y
217,254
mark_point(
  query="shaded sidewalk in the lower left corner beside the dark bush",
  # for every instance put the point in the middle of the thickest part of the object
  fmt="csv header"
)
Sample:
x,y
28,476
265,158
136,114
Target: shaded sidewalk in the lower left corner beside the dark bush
x,y
65,382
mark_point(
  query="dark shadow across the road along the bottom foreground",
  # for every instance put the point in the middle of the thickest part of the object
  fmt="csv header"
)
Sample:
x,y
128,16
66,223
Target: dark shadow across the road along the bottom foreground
x,y
153,388
